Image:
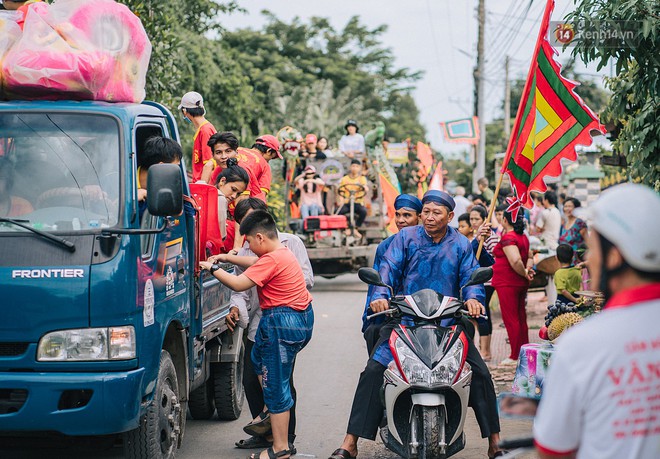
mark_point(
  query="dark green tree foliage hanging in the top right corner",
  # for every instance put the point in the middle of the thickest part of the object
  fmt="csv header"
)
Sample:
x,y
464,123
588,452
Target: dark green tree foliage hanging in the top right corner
x,y
635,101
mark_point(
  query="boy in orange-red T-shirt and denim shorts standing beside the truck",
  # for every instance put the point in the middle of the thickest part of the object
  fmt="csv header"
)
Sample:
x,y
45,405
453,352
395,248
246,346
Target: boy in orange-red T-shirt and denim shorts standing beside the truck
x,y
286,324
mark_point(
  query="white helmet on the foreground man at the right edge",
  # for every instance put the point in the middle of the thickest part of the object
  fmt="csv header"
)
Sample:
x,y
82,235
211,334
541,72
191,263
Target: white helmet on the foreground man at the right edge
x,y
628,216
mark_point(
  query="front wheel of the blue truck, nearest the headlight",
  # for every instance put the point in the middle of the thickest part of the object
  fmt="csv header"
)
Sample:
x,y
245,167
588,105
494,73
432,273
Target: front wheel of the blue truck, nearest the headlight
x,y
160,428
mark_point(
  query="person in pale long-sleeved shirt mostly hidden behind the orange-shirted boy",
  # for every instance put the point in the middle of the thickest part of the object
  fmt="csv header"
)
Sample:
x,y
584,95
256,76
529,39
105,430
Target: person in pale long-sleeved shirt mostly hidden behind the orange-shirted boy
x,y
245,312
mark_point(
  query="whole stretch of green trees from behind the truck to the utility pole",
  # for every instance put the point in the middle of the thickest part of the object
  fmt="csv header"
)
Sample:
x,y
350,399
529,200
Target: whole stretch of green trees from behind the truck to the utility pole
x,y
301,73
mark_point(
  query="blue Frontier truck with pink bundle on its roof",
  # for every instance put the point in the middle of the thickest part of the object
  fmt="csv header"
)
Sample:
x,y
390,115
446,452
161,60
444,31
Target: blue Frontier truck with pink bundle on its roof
x,y
107,325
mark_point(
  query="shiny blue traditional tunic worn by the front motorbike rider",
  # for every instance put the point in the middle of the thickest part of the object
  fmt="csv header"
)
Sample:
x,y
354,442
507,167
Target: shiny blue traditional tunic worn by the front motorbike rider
x,y
414,262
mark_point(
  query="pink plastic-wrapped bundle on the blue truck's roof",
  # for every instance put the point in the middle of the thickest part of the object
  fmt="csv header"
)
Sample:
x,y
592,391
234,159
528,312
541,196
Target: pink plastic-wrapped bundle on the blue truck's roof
x,y
78,49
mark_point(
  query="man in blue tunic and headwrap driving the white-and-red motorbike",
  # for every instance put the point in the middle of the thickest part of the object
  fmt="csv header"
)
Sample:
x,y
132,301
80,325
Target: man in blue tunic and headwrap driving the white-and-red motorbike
x,y
433,256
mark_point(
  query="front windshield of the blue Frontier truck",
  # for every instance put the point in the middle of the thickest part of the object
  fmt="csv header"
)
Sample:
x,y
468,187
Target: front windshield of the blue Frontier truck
x,y
59,171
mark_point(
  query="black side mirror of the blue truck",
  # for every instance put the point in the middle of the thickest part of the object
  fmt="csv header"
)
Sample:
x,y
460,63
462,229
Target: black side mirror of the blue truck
x,y
164,190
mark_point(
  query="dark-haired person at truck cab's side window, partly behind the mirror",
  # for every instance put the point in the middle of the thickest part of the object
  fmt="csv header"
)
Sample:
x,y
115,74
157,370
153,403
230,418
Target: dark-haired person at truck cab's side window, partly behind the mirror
x,y
156,150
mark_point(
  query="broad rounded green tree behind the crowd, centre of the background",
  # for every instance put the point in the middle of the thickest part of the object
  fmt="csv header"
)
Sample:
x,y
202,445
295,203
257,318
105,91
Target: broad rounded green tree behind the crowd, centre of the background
x,y
285,58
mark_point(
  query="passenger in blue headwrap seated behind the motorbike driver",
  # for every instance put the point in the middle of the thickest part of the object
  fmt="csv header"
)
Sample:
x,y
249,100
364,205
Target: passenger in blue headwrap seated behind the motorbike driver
x,y
406,213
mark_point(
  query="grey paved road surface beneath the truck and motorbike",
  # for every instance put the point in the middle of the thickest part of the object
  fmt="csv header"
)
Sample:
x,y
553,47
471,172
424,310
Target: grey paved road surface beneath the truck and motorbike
x,y
326,375
